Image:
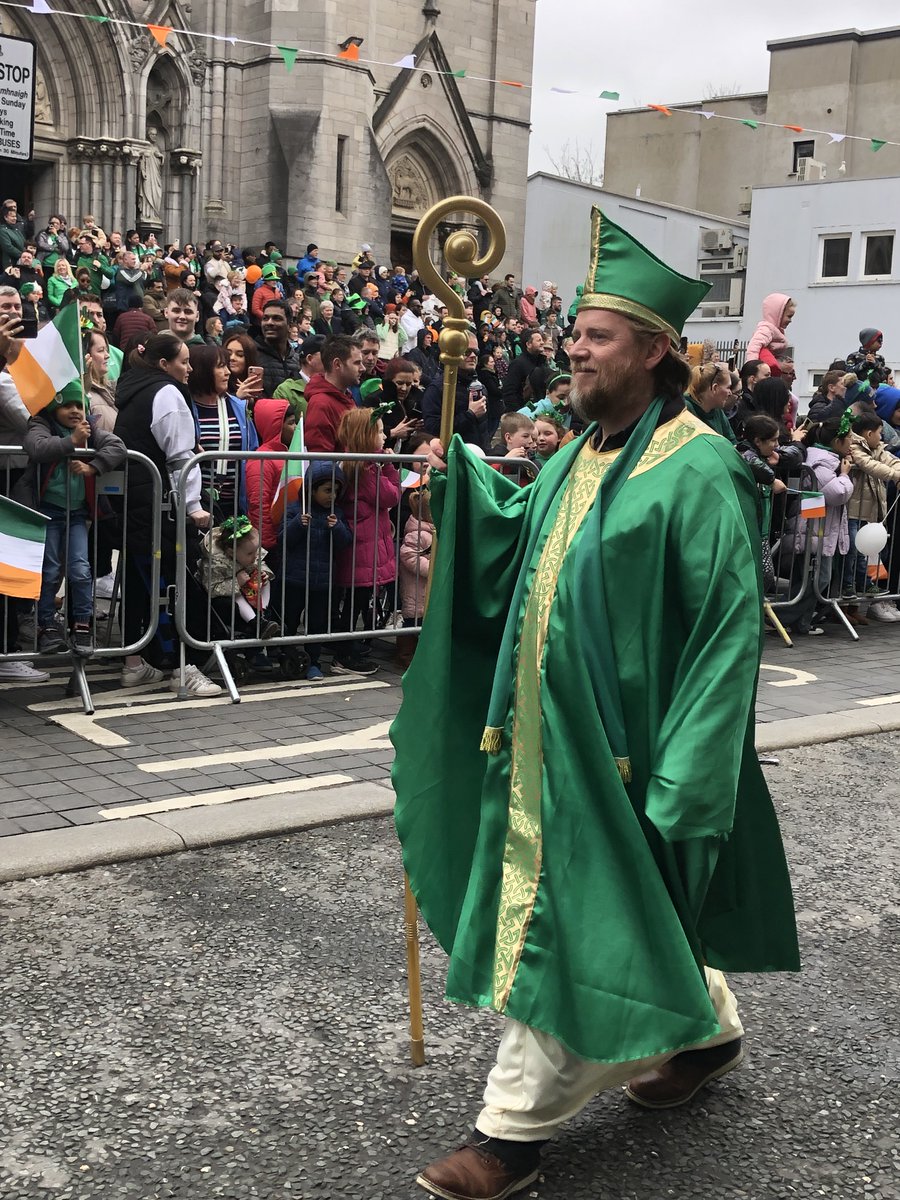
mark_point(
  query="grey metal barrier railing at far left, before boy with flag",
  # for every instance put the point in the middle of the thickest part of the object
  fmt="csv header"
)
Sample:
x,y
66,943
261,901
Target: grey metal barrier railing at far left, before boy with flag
x,y
113,562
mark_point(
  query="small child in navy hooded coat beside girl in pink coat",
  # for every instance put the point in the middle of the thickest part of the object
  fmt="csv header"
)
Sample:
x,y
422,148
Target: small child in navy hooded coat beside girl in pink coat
x,y
314,531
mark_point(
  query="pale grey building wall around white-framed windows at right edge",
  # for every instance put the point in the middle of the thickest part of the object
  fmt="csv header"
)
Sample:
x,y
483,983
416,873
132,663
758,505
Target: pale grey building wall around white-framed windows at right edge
x,y
785,245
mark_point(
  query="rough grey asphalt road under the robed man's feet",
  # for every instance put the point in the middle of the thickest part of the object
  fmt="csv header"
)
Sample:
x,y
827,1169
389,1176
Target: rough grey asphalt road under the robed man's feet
x,y
230,1023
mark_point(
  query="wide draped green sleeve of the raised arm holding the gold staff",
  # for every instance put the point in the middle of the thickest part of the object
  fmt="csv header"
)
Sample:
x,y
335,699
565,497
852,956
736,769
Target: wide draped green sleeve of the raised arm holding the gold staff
x,y
439,770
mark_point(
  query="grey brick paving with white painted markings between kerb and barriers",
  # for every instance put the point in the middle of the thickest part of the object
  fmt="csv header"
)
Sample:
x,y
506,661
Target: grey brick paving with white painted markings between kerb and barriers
x,y
146,752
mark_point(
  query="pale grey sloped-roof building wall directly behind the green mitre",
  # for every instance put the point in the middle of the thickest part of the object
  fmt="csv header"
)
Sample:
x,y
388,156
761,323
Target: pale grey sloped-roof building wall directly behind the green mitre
x,y
561,207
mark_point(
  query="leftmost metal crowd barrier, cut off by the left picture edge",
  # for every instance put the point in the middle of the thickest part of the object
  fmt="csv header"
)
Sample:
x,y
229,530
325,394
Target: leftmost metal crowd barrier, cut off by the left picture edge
x,y
109,538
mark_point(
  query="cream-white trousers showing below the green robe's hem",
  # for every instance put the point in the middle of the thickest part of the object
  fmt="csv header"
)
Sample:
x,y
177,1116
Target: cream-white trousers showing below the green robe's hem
x,y
537,1084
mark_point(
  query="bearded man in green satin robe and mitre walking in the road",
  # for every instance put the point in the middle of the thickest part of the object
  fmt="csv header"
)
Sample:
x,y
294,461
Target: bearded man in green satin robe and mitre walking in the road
x,y
605,847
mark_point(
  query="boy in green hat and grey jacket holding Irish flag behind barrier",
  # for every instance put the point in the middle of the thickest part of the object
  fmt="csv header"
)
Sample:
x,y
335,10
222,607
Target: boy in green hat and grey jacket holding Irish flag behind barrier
x,y
59,483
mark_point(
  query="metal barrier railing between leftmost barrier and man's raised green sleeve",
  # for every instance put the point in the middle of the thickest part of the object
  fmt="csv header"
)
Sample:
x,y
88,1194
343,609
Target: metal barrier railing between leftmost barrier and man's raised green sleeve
x,y
347,589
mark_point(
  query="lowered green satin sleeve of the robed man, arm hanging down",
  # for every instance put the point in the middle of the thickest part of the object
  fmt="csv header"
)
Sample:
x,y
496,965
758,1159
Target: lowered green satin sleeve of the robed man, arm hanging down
x,y
699,752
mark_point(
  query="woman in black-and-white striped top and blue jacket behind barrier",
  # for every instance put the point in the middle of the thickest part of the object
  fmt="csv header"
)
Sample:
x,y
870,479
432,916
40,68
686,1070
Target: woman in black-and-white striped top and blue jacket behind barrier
x,y
224,425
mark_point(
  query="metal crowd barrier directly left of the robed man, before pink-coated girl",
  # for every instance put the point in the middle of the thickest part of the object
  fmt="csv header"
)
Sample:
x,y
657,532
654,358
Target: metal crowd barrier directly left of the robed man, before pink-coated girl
x,y
357,607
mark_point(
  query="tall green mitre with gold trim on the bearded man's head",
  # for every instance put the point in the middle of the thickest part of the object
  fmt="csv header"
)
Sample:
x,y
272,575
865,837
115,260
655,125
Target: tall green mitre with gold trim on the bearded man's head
x,y
626,278
